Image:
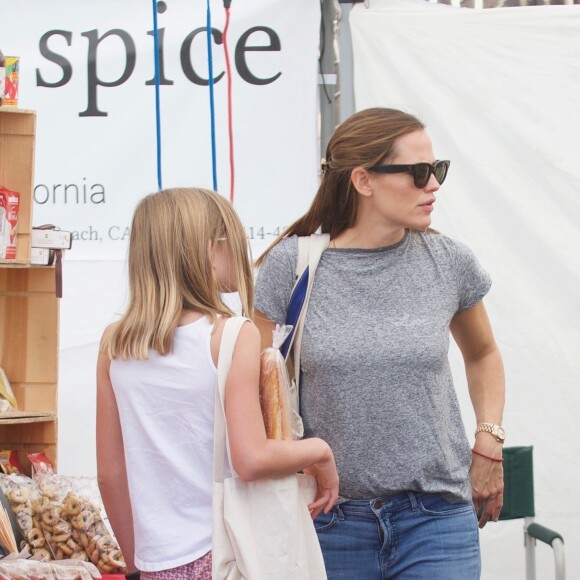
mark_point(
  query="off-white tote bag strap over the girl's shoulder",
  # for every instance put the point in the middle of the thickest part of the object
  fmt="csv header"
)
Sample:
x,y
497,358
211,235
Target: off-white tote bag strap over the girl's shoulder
x,y
221,445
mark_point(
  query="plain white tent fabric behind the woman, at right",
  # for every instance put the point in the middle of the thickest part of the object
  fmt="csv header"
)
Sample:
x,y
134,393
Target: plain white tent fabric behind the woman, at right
x,y
498,91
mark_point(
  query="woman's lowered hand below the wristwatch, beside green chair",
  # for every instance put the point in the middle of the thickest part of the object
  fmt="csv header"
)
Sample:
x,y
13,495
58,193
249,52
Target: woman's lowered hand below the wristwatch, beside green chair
x,y
487,482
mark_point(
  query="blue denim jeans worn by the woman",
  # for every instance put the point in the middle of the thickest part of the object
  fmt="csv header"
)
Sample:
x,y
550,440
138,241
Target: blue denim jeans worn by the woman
x,y
404,536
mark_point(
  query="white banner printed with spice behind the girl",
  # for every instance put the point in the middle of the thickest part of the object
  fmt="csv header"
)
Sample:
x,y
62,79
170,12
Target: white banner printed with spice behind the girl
x,y
88,70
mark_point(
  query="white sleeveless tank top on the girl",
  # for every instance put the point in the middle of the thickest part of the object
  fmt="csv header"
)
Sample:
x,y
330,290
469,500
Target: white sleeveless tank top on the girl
x,y
166,408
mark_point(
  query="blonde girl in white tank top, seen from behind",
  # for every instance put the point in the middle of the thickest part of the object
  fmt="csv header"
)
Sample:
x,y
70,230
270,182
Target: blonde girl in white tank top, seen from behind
x,y
156,381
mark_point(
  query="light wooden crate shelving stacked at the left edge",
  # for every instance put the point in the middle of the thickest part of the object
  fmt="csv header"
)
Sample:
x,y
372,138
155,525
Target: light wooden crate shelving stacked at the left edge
x,y
29,308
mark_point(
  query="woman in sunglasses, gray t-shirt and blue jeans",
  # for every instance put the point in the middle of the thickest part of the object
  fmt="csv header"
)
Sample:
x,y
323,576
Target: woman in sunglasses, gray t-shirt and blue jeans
x,y
375,377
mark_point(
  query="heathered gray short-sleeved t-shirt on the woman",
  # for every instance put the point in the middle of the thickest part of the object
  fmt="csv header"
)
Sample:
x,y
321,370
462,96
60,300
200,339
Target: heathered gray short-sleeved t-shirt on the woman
x,y
376,382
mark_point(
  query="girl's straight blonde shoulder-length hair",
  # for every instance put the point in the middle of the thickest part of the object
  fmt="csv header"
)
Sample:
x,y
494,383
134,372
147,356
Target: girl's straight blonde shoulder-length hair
x,y
170,268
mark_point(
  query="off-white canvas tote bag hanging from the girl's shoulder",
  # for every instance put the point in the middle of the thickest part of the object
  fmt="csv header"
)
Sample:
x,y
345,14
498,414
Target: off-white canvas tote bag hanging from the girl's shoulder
x,y
262,530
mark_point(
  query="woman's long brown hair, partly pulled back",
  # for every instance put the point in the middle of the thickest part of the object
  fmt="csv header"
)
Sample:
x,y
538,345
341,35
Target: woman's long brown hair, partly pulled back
x,y
365,139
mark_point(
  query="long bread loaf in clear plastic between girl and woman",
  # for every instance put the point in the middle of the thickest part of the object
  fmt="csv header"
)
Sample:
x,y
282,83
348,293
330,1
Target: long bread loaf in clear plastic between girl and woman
x,y
275,388
